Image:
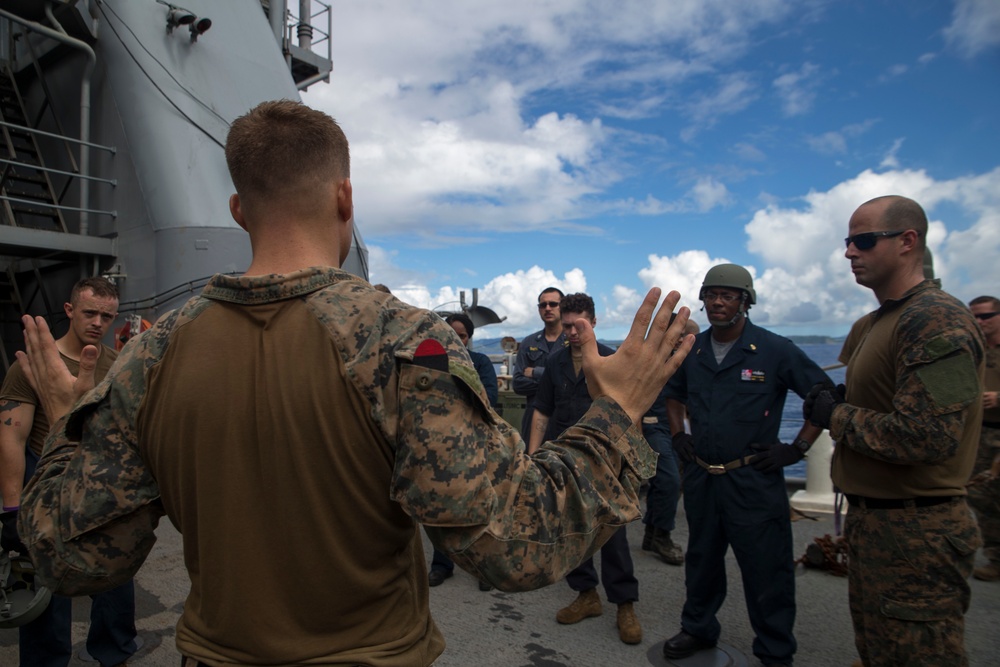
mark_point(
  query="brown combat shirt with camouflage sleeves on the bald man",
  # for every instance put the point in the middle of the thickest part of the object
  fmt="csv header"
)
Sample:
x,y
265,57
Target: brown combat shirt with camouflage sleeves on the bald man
x,y
910,425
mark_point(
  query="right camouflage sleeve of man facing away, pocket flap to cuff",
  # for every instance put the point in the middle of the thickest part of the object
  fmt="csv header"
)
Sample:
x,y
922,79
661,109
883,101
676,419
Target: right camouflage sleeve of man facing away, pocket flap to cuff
x,y
520,522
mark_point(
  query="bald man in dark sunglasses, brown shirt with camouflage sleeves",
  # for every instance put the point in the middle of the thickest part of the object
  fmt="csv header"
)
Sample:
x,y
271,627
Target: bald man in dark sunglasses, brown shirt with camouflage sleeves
x,y
907,429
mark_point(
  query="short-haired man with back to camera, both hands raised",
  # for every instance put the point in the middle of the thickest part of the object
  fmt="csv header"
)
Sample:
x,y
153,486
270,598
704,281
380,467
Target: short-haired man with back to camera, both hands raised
x,y
322,421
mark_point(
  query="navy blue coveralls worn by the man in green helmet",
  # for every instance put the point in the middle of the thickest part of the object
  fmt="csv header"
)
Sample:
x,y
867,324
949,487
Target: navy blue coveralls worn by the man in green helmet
x,y
733,405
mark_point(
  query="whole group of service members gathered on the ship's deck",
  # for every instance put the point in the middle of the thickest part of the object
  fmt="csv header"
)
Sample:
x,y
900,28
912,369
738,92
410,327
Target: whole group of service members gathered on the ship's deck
x,y
912,424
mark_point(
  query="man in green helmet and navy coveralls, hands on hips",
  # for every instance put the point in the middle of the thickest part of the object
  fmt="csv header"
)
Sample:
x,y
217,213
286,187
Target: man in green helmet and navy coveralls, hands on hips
x,y
734,385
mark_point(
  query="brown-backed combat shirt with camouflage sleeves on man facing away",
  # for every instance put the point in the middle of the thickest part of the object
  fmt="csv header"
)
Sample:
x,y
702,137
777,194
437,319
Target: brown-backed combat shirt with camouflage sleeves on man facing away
x,y
404,411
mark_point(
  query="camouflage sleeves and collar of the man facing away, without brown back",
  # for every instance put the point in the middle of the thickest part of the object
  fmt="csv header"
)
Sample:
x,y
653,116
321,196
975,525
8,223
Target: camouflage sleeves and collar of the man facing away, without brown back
x,y
519,522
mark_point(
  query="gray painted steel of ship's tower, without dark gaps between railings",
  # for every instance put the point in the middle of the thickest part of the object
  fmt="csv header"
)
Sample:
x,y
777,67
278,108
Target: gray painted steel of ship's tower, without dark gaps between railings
x,y
163,104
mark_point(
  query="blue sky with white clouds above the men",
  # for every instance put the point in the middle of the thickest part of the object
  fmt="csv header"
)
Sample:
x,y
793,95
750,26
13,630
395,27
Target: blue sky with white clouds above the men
x,y
607,147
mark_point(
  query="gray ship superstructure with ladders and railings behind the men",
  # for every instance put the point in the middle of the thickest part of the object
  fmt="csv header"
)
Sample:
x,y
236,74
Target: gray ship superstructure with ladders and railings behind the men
x,y
113,118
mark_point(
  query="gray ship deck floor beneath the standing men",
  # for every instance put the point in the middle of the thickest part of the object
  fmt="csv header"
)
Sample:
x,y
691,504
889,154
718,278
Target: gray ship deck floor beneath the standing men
x,y
498,629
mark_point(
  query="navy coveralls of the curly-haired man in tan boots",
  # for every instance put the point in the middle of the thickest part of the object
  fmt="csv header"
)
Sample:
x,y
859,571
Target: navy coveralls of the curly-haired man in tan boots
x,y
563,397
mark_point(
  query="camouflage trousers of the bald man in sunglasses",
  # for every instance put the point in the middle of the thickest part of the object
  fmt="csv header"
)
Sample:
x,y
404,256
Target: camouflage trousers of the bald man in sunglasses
x,y
907,583
